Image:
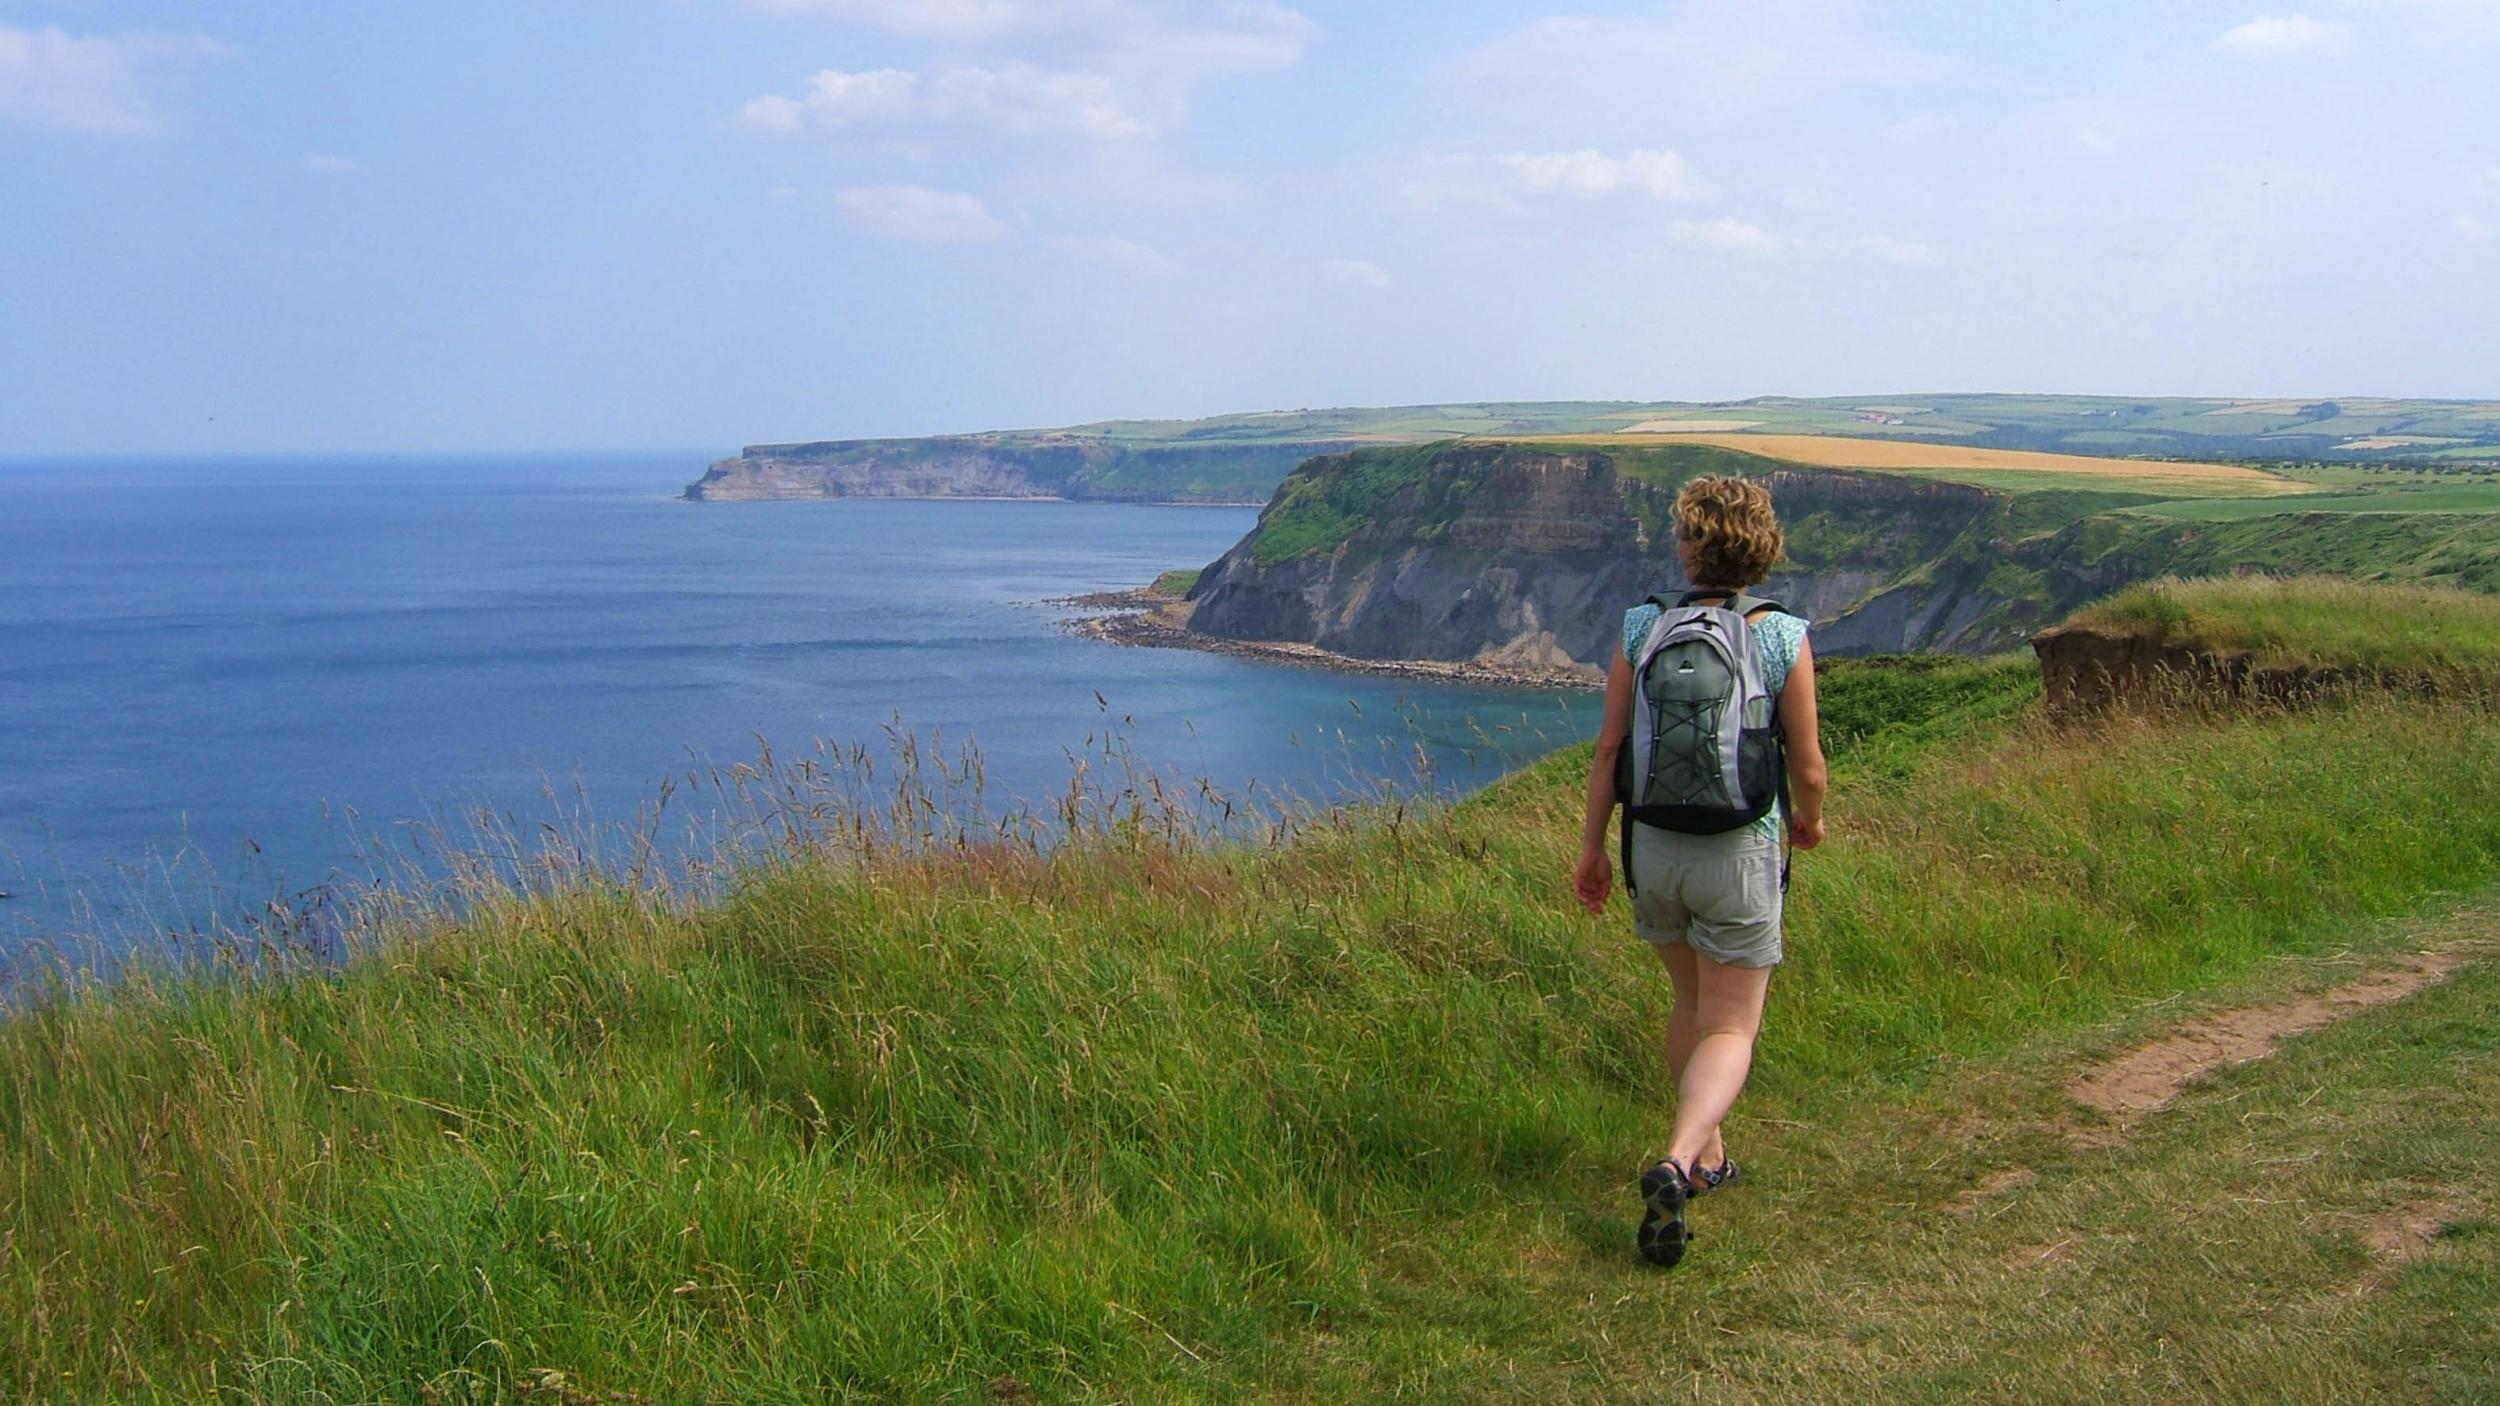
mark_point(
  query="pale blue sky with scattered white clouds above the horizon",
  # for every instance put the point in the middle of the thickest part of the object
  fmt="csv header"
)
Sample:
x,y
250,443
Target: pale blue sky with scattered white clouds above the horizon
x,y
696,224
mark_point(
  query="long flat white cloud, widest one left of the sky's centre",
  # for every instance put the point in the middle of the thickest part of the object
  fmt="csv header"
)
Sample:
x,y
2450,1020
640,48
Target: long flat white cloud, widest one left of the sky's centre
x,y
1014,99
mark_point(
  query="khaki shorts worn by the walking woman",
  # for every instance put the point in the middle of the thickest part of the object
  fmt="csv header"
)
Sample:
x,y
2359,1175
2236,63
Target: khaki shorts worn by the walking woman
x,y
1714,892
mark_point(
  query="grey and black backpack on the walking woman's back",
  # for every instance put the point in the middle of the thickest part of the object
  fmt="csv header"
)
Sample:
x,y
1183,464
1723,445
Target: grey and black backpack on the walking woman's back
x,y
1706,752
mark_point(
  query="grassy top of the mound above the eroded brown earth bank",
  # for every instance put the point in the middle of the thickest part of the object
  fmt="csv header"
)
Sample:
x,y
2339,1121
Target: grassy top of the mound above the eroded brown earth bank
x,y
2311,622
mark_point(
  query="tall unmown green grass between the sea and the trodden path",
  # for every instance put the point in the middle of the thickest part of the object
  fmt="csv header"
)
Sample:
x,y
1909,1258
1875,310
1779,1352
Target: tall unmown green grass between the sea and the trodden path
x,y
894,1125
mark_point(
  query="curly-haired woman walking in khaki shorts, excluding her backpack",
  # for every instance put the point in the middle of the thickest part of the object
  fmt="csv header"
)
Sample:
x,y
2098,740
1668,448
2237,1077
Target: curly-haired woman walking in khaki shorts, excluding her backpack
x,y
1709,902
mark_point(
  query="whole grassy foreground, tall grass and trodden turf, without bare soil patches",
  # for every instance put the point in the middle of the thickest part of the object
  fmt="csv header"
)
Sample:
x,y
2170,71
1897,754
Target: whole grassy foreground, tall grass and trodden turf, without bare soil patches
x,y
1339,1115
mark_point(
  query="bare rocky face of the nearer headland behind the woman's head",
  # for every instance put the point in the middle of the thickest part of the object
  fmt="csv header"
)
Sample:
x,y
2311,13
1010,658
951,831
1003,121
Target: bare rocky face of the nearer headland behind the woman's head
x,y
1531,557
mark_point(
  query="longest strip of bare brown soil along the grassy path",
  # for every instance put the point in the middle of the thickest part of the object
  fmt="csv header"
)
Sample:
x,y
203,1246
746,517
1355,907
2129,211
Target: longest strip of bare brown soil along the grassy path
x,y
2154,1077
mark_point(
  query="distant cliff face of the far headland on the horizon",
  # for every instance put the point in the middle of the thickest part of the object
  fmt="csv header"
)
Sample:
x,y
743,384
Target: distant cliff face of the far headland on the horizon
x,y
1006,467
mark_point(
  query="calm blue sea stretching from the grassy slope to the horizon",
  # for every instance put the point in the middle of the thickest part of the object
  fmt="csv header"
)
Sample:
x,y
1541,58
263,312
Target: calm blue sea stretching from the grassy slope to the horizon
x,y
224,682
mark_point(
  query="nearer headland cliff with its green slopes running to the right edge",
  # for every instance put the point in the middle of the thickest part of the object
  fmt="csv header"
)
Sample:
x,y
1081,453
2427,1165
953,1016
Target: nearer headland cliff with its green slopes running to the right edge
x,y
1524,557
